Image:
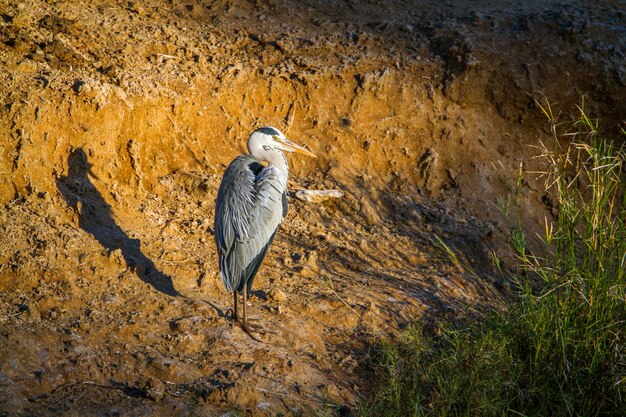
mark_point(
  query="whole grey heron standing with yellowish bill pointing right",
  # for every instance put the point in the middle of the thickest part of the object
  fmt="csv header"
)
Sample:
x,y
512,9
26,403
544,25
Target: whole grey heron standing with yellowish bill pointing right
x,y
250,205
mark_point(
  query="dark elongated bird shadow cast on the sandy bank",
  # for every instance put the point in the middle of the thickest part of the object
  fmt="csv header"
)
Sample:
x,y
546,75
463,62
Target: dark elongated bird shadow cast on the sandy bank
x,y
95,216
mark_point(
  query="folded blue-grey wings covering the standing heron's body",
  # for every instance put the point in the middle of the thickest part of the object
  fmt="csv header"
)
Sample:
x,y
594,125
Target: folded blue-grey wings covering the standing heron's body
x,y
249,208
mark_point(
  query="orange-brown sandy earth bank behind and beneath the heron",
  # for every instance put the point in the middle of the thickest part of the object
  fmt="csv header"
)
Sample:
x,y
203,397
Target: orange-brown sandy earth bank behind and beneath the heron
x,y
118,118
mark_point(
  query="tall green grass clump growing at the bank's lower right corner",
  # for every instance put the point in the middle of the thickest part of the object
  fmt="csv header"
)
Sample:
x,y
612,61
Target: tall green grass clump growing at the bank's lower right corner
x,y
560,349
